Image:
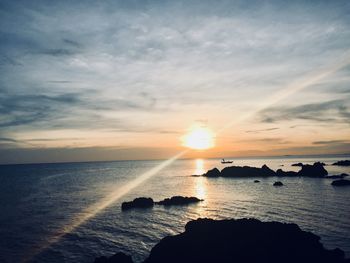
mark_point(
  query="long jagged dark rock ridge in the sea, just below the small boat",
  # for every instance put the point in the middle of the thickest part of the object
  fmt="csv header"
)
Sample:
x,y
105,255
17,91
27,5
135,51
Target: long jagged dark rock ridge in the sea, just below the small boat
x,y
314,170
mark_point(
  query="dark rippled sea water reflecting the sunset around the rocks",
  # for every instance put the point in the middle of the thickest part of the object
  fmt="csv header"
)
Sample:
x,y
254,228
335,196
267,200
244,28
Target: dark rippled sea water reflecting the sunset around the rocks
x,y
40,203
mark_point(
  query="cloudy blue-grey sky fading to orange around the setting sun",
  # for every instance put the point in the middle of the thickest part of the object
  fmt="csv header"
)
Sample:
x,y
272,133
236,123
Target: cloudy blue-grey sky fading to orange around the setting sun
x,y
125,80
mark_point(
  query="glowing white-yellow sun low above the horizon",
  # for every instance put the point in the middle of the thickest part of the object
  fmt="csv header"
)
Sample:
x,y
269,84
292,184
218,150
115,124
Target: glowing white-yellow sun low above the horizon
x,y
199,138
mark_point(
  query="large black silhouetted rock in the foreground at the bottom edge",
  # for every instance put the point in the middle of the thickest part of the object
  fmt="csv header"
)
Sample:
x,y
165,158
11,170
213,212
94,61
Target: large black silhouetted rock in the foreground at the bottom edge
x,y
242,240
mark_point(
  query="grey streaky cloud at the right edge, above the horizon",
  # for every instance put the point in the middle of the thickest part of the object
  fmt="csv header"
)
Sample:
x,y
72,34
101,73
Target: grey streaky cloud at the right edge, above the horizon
x,y
334,111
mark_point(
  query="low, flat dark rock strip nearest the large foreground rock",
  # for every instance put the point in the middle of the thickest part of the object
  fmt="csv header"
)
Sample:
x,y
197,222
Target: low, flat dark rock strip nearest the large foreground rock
x,y
147,202
